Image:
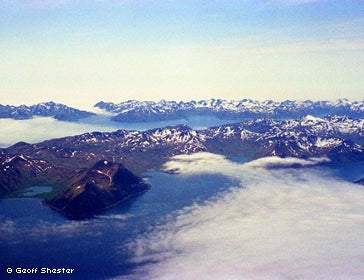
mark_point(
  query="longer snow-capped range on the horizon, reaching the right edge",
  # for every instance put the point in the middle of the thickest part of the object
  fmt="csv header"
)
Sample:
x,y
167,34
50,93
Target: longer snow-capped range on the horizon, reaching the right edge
x,y
132,110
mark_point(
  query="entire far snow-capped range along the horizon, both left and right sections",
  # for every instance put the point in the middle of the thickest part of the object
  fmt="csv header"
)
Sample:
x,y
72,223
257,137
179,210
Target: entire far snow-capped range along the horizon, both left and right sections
x,y
147,111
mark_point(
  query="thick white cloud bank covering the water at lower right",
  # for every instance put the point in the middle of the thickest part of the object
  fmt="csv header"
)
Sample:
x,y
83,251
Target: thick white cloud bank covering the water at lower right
x,y
277,223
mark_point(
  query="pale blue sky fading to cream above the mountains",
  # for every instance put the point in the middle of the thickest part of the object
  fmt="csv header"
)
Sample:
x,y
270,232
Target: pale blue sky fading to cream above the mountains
x,y
80,52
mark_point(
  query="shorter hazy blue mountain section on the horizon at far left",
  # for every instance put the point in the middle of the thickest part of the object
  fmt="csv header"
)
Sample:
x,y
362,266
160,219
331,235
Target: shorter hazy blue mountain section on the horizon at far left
x,y
46,109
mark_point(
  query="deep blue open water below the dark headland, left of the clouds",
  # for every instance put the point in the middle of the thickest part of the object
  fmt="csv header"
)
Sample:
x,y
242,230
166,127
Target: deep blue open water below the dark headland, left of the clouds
x,y
34,236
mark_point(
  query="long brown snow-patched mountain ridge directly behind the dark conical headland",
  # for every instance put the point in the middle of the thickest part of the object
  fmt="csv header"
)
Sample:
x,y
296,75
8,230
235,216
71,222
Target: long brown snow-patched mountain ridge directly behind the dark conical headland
x,y
336,138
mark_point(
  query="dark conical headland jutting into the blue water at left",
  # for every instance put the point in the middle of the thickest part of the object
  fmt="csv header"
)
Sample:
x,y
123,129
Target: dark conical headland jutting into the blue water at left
x,y
95,189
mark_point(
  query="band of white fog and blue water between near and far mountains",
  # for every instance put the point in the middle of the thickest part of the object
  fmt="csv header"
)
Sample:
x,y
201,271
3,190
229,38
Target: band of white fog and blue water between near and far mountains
x,y
43,128
